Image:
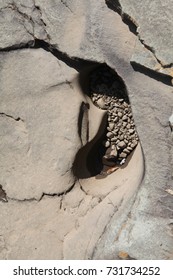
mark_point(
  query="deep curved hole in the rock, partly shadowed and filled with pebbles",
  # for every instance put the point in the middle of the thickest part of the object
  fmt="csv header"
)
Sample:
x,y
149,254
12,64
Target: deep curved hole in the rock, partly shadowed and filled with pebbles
x,y
116,137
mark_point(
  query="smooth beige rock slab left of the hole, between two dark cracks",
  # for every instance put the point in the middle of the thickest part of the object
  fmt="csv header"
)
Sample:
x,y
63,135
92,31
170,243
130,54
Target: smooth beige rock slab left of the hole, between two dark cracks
x,y
35,124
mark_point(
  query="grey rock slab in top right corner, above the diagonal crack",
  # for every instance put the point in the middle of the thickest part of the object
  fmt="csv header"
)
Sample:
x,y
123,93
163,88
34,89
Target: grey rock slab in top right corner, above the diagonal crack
x,y
156,32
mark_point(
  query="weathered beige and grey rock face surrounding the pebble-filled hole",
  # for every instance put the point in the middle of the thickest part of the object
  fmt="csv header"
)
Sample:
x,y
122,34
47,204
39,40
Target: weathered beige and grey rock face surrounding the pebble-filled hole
x,y
50,132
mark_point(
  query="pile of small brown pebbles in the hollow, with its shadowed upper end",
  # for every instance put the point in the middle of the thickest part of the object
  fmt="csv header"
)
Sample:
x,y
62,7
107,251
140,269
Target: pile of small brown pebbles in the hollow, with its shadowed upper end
x,y
108,93
